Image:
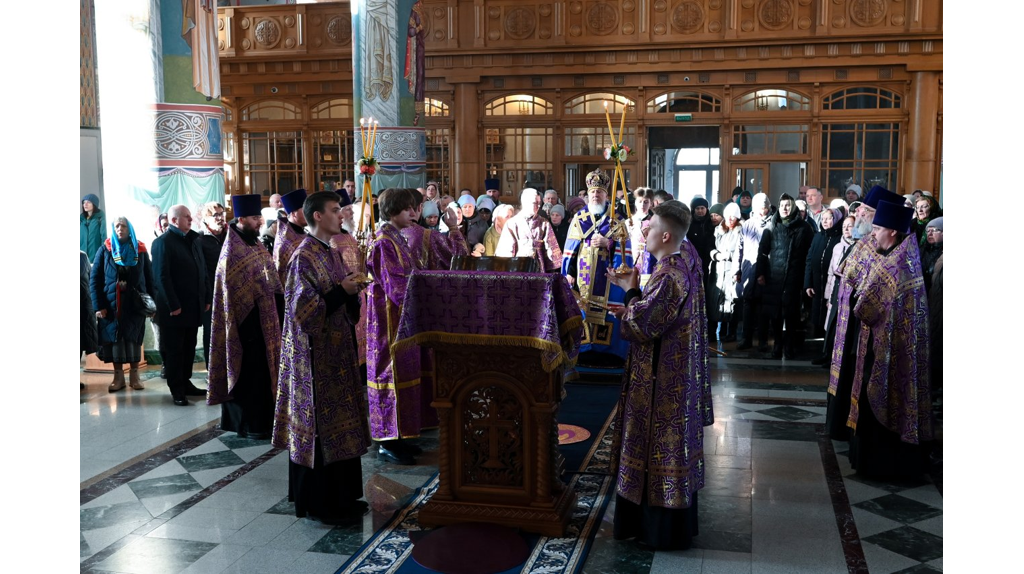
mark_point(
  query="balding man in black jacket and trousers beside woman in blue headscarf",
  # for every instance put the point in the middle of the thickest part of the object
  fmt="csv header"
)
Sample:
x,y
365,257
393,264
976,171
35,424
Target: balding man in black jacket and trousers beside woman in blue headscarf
x,y
182,299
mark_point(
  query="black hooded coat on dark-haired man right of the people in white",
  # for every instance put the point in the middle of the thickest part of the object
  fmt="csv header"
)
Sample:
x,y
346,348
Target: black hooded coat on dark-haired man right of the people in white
x,y
782,260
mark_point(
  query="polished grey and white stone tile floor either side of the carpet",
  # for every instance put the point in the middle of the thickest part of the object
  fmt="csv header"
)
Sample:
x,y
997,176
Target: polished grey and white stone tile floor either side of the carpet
x,y
163,491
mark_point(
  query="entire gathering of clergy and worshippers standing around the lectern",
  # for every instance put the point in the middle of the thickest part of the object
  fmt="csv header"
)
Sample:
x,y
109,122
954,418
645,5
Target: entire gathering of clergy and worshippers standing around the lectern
x,y
298,341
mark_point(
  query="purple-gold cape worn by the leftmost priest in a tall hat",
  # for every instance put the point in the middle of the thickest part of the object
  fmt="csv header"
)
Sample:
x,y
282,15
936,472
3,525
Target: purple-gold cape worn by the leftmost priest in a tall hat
x,y
246,280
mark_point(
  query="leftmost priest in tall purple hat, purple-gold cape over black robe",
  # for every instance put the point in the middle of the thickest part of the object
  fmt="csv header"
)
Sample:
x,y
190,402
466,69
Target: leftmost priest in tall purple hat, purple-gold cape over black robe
x,y
246,334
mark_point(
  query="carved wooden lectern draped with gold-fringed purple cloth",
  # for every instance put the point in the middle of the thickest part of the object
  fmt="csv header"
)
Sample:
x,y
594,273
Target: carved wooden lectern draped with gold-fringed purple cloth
x,y
498,376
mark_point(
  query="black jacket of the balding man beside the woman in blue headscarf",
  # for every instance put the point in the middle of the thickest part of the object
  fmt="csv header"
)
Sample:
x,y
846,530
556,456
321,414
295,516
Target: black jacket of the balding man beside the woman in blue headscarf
x,y
180,278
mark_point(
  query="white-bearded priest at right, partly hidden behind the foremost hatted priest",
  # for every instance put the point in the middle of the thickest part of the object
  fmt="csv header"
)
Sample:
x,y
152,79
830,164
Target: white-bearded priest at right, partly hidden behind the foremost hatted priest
x,y
854,272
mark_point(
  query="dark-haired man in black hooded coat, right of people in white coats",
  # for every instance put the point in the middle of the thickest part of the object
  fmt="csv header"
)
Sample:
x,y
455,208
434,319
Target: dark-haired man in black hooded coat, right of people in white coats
x,y
782,260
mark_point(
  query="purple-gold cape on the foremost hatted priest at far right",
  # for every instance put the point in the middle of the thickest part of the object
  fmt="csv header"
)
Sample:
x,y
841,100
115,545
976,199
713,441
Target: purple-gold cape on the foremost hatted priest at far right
x,y
893,310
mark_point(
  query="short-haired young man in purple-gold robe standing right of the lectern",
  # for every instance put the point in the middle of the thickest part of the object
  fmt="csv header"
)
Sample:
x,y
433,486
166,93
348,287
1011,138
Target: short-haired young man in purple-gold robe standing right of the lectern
x,y
666,400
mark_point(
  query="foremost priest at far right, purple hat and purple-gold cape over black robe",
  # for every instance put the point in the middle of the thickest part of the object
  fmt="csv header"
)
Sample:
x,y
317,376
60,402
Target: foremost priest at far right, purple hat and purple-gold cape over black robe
x,y
891,405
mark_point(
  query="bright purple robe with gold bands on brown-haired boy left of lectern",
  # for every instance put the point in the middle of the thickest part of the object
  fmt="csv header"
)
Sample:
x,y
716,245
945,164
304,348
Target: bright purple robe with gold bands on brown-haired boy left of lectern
x,y
400,406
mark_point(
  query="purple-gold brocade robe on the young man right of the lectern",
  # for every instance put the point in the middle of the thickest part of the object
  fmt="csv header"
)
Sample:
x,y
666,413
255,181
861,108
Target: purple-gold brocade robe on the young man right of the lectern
x,y
666,401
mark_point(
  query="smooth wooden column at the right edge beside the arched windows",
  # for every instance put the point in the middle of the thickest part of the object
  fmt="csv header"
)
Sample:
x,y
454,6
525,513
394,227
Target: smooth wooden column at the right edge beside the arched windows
x,y
922,133
